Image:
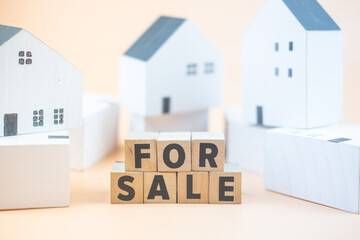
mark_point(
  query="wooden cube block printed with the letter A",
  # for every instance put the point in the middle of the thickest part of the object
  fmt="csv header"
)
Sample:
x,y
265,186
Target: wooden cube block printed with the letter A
x,y
159,187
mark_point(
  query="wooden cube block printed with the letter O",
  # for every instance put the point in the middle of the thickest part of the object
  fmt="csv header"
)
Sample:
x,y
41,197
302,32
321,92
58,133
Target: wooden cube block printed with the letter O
x,y
173,150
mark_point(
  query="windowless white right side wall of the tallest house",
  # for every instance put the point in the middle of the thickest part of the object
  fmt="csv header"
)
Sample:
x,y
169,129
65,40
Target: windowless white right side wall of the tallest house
x,y
325,77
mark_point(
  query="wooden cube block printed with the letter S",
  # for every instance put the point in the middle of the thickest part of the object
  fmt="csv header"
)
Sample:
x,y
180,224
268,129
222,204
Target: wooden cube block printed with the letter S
x,y
126,187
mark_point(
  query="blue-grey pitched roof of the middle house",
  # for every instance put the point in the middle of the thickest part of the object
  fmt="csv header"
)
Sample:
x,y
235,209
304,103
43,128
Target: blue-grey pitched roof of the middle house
x,y
147,45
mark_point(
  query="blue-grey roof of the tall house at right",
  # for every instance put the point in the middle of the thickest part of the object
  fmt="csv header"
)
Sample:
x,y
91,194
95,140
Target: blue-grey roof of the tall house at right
x,y
311,15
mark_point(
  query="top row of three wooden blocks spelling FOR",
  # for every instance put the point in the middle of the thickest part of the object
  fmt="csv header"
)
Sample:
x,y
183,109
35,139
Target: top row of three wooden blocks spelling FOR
x,y
174,151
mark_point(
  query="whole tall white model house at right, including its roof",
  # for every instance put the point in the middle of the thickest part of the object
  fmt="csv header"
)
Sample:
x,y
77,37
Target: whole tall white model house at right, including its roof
x,y
292,66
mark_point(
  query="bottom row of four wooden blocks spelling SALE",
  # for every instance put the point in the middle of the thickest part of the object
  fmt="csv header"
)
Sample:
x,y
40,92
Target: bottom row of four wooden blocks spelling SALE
x,y
181,187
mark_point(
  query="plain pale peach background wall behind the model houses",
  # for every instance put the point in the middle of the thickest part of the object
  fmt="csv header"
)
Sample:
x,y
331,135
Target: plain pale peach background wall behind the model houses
x,y
93,34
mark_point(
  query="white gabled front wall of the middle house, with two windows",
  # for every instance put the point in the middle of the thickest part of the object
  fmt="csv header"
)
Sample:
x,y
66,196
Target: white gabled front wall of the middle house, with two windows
x,y
167,73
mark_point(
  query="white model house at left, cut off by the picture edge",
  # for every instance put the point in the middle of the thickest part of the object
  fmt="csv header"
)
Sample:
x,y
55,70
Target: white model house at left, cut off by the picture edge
x,y
39,90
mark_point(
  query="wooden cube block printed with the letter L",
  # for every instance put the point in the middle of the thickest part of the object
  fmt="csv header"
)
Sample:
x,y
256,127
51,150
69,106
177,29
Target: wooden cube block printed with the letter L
x,y
193,187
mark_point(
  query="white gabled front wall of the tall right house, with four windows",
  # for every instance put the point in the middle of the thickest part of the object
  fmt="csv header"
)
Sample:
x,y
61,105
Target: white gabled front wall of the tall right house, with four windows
x,y
282,98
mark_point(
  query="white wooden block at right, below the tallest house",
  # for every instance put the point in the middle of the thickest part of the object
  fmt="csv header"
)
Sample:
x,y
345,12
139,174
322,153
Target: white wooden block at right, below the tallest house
x,y
319,165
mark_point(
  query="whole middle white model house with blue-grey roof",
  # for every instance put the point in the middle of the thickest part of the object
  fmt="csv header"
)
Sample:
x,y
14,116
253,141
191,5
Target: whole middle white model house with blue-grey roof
x,y
172,68
